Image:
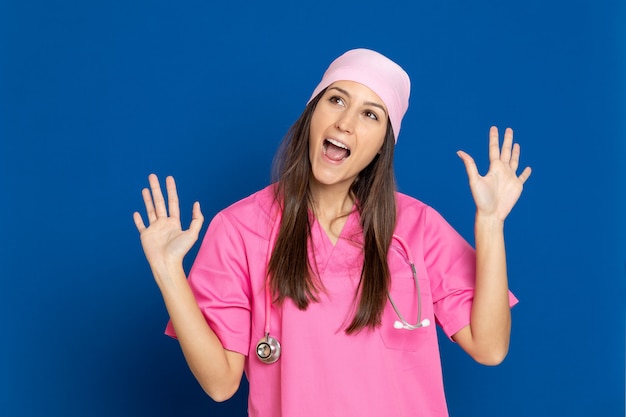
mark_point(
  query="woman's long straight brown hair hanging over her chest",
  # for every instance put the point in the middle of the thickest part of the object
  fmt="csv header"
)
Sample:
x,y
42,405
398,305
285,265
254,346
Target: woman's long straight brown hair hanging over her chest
x,y
290,273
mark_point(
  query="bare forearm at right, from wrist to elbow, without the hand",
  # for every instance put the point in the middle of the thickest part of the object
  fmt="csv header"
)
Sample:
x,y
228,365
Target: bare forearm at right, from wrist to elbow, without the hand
x,y
487,337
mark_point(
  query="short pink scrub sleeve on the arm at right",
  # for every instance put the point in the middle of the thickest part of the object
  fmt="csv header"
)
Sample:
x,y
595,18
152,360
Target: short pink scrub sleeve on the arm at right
x,y
451,265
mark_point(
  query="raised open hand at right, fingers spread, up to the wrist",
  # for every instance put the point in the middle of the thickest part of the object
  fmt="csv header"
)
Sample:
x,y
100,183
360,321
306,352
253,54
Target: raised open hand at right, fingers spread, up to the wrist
x,y
496,193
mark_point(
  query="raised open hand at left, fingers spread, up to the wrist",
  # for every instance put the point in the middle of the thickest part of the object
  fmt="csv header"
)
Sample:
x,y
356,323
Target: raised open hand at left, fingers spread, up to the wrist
x,y
164,242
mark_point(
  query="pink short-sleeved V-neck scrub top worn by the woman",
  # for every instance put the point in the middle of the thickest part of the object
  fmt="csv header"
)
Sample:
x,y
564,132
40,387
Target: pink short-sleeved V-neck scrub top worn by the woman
x,y
323,371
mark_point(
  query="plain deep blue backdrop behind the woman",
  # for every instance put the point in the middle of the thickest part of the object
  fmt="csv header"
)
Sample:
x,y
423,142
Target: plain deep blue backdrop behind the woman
x,y
96,95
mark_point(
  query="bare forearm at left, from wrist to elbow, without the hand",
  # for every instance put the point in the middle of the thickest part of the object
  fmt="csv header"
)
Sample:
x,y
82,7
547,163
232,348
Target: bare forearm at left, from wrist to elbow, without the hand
x,y
217,370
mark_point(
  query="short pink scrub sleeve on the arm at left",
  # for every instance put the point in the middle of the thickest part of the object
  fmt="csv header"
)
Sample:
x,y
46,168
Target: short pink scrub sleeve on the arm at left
x,y
220,282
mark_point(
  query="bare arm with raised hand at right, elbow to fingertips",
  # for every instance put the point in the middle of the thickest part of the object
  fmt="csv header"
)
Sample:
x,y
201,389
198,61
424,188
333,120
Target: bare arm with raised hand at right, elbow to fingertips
x,y
487,336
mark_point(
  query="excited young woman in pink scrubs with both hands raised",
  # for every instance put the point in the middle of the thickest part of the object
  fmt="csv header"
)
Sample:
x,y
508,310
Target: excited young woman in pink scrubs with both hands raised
x,y
324,287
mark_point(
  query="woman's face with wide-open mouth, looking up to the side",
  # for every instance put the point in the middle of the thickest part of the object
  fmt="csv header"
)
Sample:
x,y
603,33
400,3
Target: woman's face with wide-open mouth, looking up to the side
x,y
347,131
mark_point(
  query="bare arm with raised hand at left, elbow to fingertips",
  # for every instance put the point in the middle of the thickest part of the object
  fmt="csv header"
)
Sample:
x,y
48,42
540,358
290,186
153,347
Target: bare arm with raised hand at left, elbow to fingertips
x,y
165,244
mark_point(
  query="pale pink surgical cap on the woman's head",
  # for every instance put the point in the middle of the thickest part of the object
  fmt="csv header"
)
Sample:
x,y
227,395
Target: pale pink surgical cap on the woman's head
x,y
377,72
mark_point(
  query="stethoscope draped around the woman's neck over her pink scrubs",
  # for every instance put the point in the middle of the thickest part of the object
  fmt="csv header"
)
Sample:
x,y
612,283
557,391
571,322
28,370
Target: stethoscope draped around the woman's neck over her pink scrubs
x,y
268,348
